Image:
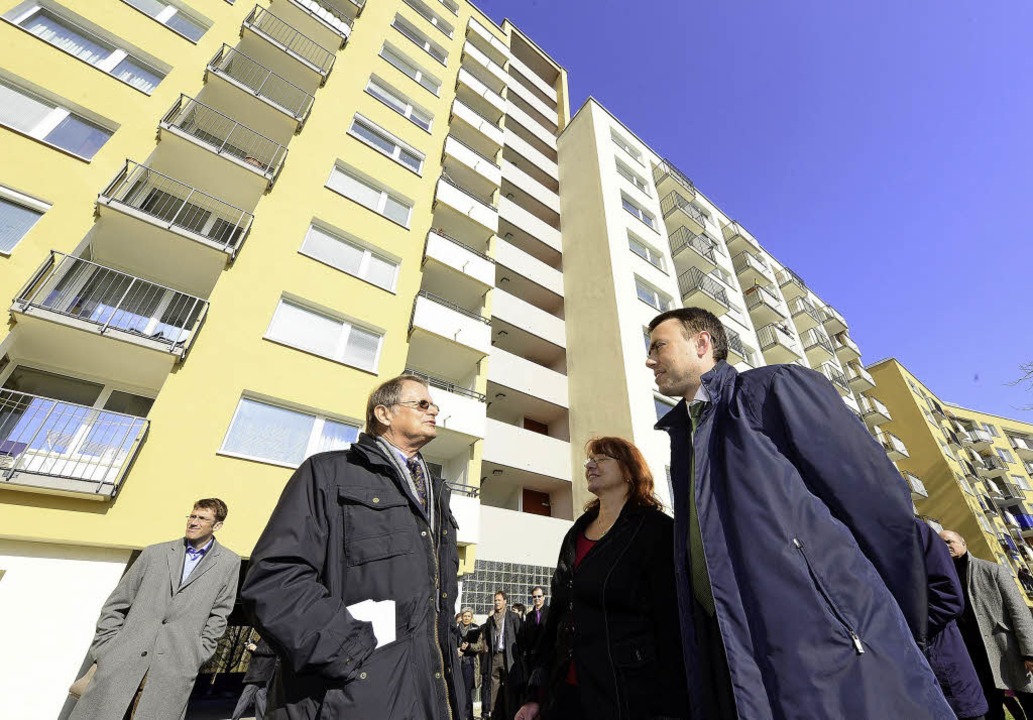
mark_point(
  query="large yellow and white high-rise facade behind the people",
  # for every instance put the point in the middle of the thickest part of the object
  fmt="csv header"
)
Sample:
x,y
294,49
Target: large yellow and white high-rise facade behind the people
x,y
223,225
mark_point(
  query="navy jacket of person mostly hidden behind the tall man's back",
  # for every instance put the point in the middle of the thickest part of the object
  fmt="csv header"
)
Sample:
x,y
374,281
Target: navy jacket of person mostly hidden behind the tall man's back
x,y
947,650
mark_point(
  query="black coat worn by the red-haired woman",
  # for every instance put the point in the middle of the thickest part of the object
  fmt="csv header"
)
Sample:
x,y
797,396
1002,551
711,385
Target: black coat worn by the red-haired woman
x,y
616,617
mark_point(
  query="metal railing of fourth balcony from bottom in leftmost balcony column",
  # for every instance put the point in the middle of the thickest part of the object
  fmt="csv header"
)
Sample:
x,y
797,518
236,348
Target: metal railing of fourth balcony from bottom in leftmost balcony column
x,y
226,136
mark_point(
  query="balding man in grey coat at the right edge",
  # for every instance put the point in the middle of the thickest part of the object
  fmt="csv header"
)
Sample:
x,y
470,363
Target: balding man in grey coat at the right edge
x,y
996,627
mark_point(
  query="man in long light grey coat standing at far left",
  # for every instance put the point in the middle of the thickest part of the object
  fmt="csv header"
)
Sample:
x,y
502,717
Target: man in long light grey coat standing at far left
x,y
163,623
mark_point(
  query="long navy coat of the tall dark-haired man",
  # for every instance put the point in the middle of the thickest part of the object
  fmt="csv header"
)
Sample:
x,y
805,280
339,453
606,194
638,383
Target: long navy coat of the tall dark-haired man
x,y
811,549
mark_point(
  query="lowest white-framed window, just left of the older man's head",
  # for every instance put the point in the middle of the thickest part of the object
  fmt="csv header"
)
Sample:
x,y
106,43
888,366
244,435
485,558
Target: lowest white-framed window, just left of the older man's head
x,y
264,431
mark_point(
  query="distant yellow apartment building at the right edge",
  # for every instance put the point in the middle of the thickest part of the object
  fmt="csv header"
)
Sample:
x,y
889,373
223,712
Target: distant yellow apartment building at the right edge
x,y
972,472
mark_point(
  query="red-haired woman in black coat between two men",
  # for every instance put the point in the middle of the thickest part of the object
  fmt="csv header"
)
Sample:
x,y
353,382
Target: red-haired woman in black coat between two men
x,y
612,649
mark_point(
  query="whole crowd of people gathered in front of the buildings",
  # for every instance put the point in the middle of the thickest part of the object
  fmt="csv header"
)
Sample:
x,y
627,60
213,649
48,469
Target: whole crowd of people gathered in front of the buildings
x,y
792,582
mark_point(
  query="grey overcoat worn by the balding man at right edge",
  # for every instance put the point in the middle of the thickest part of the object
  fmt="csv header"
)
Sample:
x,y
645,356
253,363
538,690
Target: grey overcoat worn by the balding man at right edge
x,y
1005,621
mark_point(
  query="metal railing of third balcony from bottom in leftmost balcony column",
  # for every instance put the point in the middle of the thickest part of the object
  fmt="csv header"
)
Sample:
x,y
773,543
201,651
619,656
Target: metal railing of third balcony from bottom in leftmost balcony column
x,y
177,205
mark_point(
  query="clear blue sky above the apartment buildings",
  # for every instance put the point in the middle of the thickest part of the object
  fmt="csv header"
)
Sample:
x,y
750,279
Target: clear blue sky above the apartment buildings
x,y
882,149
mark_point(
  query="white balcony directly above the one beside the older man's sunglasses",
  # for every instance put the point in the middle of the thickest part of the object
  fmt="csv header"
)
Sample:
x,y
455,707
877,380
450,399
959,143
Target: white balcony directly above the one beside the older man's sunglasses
x,y
445,338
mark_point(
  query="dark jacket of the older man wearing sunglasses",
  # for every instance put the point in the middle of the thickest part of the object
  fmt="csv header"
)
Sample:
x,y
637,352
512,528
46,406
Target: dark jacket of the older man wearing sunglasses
x,y
348,529
